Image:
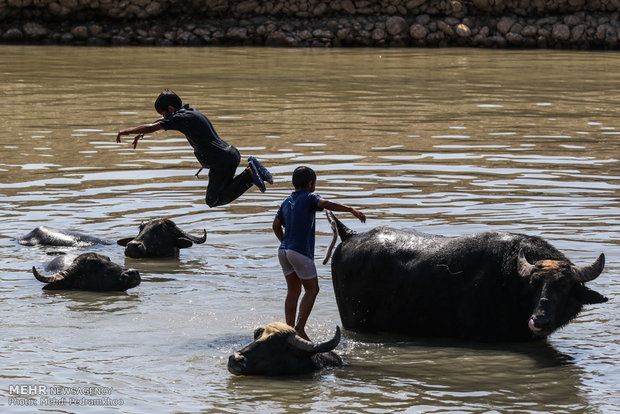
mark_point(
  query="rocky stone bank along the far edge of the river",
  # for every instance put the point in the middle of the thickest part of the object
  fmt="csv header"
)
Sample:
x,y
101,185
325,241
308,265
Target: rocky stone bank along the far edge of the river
x,y
560,24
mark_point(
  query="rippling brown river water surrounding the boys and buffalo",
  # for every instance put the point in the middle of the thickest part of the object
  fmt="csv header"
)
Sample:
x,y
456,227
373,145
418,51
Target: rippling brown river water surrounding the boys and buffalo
x,y
448,141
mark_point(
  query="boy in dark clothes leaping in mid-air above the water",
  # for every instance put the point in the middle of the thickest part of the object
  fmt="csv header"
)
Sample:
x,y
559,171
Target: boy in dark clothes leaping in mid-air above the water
x,y
221,158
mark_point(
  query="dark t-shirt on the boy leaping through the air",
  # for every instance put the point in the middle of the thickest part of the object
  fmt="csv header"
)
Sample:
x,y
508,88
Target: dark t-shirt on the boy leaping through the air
x,y
209,148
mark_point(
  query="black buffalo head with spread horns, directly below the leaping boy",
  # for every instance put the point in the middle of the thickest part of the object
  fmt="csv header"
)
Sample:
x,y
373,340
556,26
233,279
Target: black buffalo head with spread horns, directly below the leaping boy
x,y
159,237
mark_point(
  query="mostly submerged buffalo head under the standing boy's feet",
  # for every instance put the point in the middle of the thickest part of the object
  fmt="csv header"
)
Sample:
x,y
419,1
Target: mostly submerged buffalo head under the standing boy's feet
x,y
278,350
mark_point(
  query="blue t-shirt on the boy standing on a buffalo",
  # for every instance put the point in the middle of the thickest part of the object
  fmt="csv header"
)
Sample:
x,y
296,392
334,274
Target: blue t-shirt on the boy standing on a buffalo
x,y
298,216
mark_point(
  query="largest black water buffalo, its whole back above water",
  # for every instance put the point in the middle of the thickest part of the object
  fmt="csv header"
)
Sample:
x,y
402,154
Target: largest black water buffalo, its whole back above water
x,y
488,287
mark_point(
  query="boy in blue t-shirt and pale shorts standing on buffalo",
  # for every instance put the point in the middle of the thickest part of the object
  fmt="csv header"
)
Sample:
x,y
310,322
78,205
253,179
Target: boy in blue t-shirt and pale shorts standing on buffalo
x,y
294,226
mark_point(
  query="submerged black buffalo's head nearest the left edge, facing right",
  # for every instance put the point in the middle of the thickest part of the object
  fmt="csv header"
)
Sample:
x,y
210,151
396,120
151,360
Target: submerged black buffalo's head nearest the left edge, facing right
x,y
91,271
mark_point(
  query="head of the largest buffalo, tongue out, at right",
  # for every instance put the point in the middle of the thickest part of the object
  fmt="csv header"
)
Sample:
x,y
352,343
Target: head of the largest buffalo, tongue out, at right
x,y
559,290
